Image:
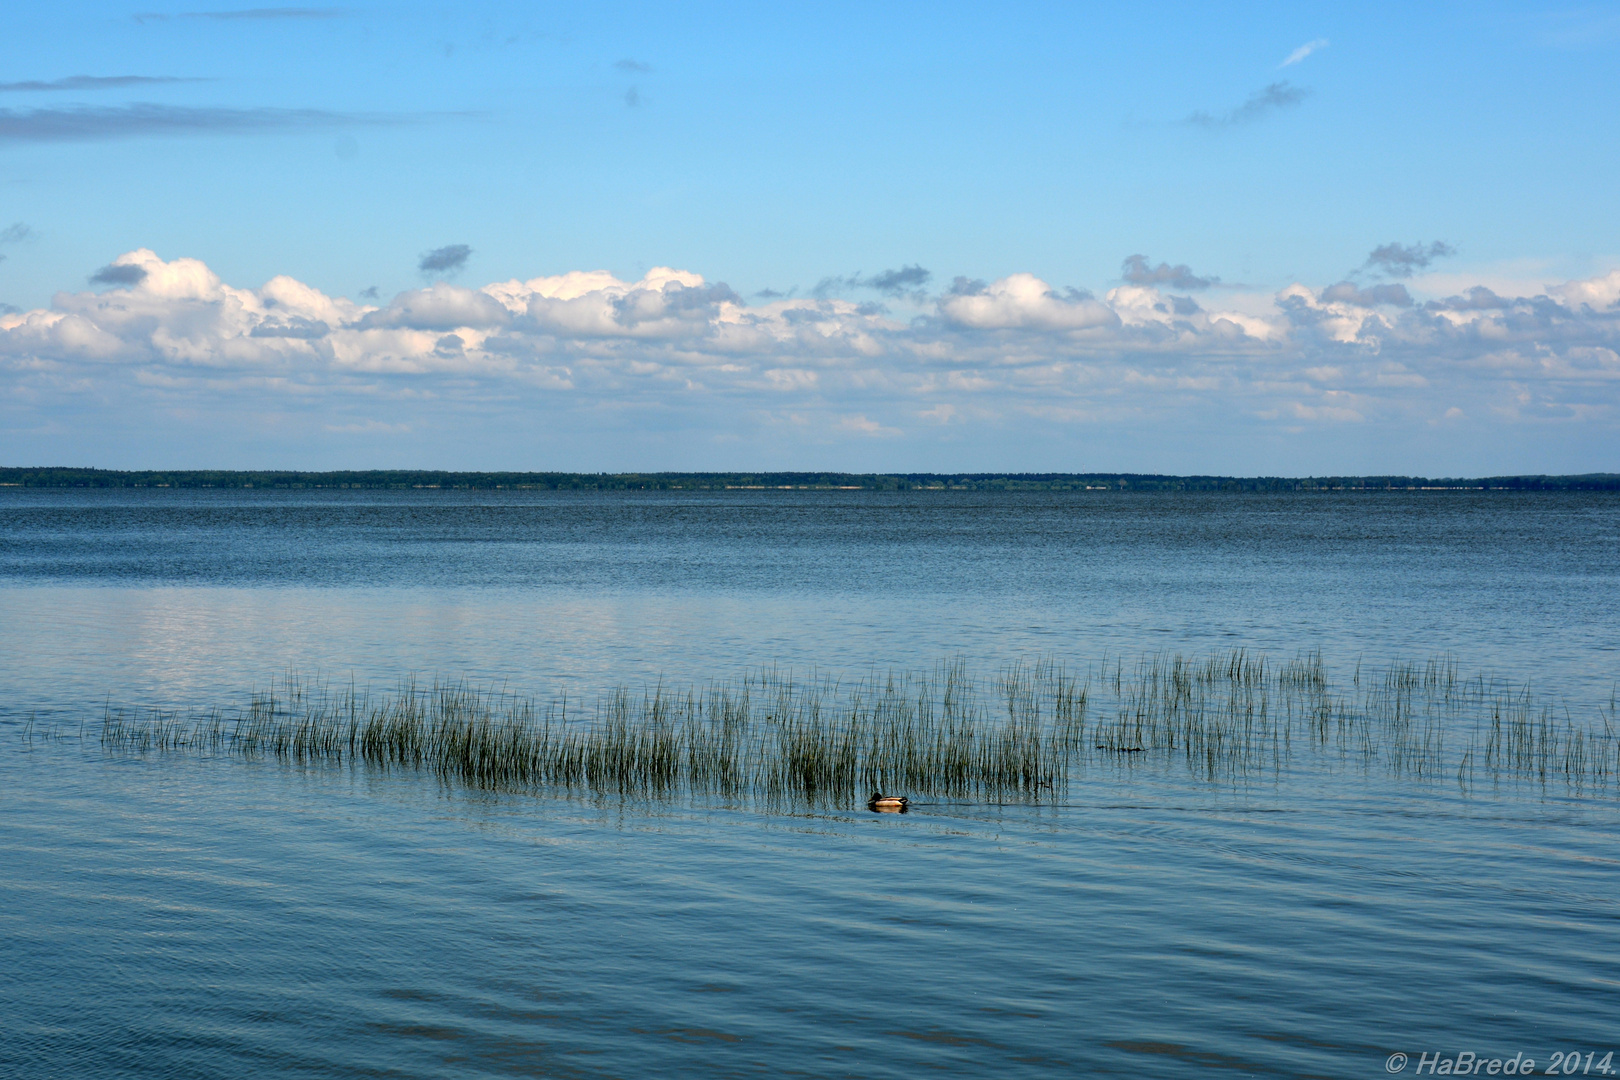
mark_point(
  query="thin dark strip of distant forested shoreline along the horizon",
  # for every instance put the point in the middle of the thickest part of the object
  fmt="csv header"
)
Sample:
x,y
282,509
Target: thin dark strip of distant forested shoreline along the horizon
x,y
743,482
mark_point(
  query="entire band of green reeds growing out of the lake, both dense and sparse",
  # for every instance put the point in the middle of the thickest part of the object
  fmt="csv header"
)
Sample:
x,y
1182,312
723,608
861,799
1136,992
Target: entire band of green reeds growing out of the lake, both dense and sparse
x,y
1028,734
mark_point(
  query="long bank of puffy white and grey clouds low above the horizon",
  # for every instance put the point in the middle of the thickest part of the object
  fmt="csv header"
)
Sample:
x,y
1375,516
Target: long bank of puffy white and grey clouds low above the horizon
x,y
984,354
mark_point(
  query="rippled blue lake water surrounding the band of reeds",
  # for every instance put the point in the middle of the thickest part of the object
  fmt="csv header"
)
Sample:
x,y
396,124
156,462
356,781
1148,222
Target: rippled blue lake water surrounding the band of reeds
x,y
192,916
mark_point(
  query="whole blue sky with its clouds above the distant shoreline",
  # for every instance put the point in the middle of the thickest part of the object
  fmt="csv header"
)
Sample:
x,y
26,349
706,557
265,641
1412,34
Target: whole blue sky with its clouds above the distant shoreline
x,y
1169,239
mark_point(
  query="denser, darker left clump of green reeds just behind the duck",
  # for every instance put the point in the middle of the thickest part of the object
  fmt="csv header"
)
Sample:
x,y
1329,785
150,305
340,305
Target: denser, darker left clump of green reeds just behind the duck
x,y
764,734
